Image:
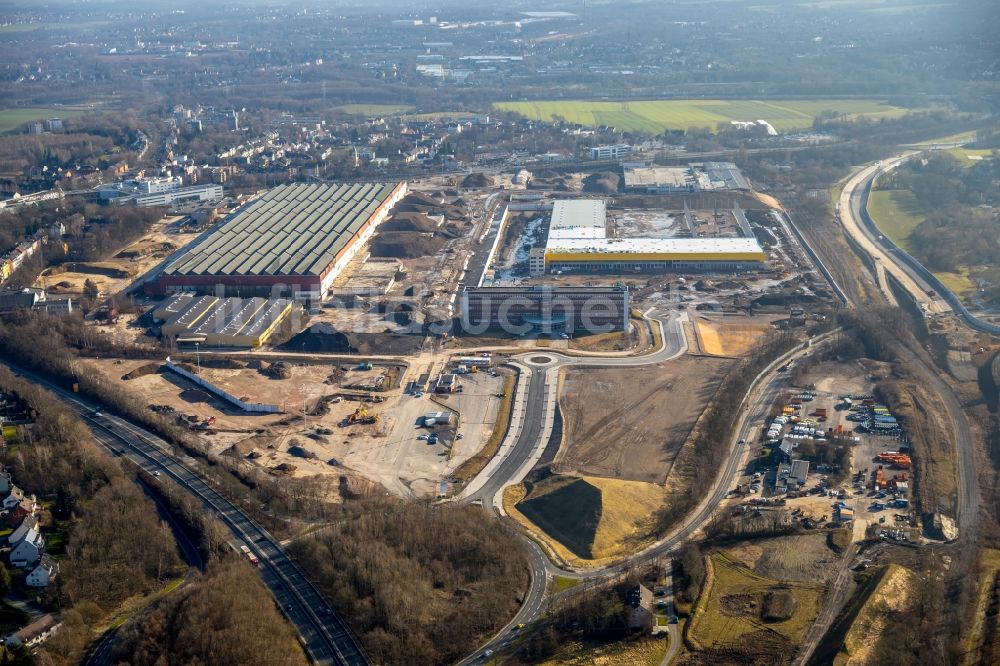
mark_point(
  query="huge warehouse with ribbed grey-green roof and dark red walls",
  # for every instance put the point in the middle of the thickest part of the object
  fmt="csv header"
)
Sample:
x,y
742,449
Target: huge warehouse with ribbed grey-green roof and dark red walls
x,y
293,239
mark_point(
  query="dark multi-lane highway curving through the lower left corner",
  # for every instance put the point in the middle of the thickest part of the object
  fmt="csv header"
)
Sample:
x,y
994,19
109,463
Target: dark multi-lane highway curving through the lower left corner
x,y
325,636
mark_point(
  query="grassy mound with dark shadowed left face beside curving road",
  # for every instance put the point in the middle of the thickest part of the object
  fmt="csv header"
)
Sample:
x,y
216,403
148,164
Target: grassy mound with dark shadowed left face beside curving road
x,y
586,519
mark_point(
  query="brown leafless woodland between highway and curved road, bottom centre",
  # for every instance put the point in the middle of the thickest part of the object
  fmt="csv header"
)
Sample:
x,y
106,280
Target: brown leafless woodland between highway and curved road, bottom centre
x,y
419,584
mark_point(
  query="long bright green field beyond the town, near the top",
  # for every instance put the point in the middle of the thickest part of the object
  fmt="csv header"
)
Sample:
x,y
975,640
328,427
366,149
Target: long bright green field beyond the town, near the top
x,y
655,116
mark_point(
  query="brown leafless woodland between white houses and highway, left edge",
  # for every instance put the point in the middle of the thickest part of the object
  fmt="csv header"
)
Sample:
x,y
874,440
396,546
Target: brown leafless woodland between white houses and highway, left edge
x,y
116,547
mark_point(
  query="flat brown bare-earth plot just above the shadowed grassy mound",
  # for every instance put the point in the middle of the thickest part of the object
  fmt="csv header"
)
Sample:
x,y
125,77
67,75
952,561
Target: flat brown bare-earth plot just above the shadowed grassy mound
x,y
630,423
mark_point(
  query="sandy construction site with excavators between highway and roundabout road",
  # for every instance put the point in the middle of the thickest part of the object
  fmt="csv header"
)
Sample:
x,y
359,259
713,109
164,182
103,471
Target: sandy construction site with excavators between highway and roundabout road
x,y
331,417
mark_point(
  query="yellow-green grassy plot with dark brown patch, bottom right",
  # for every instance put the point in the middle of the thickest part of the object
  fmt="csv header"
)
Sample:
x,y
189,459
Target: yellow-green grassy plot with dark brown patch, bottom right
x,y
742,610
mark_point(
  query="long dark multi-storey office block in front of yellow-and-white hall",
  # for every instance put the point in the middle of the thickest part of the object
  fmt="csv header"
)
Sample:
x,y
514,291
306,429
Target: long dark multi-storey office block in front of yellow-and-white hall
x,y
545,309
